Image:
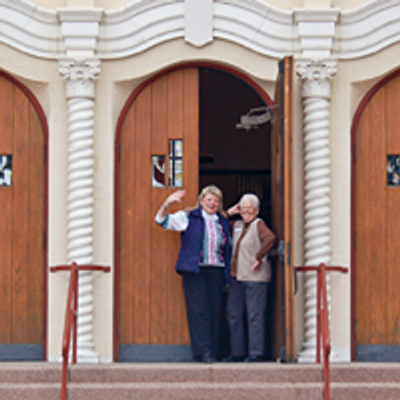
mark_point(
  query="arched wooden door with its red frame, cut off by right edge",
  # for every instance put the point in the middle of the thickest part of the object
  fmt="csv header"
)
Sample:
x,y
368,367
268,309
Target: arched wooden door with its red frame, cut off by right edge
x,y
376,224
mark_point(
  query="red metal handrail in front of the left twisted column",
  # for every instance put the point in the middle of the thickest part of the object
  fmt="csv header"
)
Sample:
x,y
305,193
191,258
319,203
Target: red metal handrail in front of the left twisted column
x,y
71,316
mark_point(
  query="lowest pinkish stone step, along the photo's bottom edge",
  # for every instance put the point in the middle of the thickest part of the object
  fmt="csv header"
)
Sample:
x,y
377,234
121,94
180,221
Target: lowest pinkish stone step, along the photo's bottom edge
x,y
201,391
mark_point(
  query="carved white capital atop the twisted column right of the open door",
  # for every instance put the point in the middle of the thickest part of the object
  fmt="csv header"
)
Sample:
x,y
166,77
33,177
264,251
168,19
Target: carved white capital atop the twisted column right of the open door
x,y
316,76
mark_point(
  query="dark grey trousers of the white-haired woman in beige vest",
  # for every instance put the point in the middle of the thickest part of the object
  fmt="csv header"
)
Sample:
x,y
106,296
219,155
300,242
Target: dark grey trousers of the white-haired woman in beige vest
x,y
250,298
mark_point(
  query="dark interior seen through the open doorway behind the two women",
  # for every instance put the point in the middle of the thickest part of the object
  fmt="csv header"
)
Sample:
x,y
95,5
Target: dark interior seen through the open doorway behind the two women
x,y
236,160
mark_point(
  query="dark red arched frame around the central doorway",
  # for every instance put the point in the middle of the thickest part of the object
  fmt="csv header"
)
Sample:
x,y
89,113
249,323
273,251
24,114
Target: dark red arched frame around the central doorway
x,y
260,91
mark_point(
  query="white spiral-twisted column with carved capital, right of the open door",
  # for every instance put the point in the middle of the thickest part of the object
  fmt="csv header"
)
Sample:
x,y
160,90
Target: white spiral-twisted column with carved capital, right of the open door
x,y
316,79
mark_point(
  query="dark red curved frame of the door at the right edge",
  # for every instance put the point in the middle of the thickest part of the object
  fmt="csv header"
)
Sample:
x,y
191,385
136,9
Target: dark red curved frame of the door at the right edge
x,y
353,223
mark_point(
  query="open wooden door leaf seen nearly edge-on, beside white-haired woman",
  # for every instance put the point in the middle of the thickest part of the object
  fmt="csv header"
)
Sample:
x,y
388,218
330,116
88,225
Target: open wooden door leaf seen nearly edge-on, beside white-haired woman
x,y
281,183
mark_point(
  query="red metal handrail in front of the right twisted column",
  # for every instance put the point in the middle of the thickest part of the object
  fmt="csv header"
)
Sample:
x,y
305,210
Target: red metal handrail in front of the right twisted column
x,y
323,318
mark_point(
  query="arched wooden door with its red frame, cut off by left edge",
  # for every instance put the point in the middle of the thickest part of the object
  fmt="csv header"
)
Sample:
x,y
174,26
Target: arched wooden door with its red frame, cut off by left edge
x,y
22,223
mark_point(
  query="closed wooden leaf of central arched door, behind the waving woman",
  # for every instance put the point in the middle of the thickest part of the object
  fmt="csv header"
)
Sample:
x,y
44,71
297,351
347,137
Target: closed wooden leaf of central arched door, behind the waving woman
x,y
160,115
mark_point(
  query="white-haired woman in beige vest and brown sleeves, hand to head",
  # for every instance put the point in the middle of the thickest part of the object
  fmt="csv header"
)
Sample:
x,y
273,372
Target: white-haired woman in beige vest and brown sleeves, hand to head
x,y
250,273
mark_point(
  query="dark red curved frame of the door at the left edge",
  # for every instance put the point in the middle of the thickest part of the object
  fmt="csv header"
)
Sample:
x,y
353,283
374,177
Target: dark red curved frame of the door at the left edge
x,y
43,121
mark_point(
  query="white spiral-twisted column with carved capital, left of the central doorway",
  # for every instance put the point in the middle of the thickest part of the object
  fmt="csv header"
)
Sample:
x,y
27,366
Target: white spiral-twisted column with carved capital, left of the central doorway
x,y
80,76
